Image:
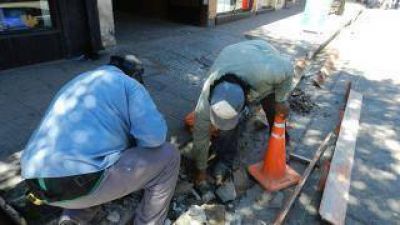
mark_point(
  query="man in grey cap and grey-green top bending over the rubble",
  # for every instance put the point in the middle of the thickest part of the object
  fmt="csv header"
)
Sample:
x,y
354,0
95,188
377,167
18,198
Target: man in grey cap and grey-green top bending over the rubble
x,y
244,74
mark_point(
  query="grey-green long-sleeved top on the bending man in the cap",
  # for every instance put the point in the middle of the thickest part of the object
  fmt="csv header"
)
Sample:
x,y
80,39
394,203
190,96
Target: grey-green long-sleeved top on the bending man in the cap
x,y
255,62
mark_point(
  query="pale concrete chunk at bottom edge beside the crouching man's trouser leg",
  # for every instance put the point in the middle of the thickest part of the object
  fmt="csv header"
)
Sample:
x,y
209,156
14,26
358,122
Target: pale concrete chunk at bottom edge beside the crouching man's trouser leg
x,y
194,216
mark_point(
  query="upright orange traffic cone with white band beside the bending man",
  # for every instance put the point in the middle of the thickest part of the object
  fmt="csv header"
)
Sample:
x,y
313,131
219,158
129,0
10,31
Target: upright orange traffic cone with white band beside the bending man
x,y
273,174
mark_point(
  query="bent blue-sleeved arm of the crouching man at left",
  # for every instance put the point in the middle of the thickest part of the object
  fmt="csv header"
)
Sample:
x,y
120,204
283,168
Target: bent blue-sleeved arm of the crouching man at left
x,y
147,125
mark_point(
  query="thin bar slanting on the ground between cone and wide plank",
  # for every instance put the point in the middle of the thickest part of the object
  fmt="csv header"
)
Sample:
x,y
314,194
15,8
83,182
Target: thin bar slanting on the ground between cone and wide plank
x,y
288,205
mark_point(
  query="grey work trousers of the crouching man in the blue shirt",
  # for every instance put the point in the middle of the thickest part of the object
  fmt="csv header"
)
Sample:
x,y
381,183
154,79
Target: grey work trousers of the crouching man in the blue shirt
x,y
154,170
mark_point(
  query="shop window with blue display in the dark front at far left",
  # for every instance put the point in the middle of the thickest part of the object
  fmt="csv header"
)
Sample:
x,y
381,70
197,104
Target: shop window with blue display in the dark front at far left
x,y
23,15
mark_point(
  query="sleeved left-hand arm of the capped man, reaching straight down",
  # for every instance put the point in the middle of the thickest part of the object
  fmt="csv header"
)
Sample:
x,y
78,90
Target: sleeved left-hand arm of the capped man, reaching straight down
x,y
201,136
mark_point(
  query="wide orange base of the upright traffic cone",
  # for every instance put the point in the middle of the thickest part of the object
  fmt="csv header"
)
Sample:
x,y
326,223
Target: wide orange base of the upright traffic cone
x,y
290,178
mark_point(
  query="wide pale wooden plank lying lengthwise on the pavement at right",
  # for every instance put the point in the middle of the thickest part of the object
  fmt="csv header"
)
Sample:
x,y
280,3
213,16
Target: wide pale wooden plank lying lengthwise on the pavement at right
x,y
334,200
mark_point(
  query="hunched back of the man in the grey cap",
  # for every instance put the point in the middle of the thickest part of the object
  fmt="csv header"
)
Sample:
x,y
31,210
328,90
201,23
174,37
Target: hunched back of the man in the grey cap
x,y
257,63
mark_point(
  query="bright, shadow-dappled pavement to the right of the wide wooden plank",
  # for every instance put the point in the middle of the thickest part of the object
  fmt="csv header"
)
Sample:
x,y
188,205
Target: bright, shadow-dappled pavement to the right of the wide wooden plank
x,y
370,57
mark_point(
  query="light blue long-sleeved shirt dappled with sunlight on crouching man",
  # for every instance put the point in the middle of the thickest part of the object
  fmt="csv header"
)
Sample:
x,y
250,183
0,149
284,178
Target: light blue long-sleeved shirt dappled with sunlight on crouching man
x,y
90,122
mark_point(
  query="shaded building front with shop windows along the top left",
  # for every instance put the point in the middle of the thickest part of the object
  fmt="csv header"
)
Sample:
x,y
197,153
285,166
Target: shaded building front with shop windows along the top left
x,y
33,31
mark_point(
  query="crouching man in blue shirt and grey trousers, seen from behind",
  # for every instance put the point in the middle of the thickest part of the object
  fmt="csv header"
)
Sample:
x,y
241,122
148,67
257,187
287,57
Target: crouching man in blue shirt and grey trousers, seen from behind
x,y
101,139
